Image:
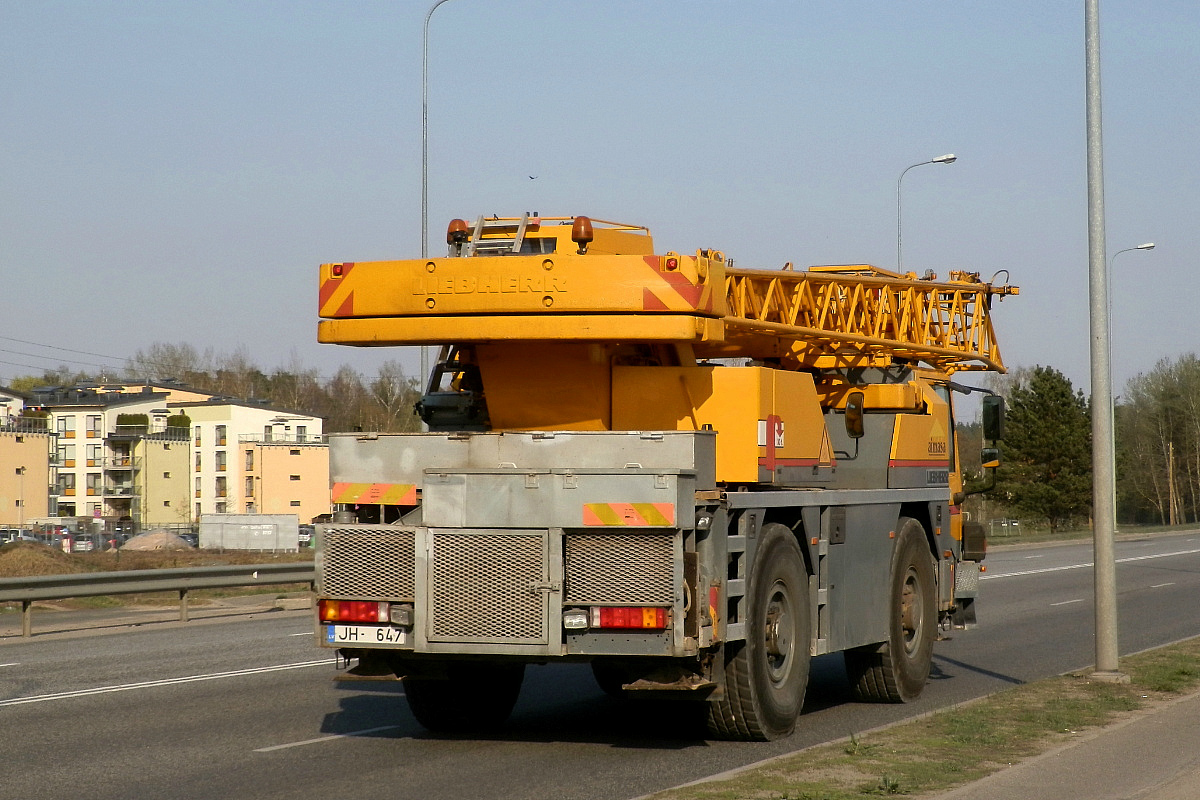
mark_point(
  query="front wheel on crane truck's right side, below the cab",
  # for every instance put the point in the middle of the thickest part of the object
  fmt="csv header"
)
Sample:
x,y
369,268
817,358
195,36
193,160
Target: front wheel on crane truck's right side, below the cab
x,y
896,671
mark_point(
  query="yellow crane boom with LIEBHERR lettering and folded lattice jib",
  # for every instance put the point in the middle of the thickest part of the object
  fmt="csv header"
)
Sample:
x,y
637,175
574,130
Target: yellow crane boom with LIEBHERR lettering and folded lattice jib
x,y
573,280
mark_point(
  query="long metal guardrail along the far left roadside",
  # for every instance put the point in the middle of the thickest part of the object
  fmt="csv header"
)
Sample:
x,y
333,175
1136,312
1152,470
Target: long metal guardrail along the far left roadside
x,y
61,587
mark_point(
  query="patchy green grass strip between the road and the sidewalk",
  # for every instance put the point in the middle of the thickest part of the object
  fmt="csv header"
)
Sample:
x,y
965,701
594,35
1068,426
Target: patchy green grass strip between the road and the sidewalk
x,y
964,744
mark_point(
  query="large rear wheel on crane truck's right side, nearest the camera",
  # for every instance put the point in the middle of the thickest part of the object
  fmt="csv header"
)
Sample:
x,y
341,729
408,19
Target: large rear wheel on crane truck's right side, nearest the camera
x,y
766,676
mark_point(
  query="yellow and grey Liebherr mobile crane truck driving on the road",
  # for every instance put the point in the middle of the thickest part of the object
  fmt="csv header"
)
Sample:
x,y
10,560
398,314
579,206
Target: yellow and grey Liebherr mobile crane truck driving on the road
x,y
692,477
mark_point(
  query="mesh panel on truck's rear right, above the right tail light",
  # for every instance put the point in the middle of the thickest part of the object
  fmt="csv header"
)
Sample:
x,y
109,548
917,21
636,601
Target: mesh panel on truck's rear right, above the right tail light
x,y
619,569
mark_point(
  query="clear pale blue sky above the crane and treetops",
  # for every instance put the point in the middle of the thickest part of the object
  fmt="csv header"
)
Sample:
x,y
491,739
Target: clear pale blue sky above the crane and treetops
x,y
175,171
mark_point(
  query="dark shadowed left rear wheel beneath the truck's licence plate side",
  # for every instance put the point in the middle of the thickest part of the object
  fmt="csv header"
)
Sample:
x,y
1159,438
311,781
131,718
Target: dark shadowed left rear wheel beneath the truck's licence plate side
x,y
473,699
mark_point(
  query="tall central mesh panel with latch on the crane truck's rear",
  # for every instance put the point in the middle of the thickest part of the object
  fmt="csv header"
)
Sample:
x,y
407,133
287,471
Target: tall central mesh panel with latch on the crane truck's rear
x,y
483,587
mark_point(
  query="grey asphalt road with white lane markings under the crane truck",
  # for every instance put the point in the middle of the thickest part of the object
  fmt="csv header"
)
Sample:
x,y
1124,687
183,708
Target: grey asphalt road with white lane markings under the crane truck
x,y
247,709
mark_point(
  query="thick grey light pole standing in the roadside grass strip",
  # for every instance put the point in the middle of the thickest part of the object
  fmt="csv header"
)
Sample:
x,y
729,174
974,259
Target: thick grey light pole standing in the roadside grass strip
x,y
1103,452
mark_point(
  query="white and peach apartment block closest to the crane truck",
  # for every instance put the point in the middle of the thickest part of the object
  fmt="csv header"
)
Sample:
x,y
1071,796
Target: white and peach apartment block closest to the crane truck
x,y
254,459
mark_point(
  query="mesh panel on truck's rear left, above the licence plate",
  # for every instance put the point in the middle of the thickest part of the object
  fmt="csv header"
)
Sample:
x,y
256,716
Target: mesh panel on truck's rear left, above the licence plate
x,y
375,562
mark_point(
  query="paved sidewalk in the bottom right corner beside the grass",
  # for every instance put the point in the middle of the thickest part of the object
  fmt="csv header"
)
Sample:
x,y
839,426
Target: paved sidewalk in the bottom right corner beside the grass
x,y
1153,756
